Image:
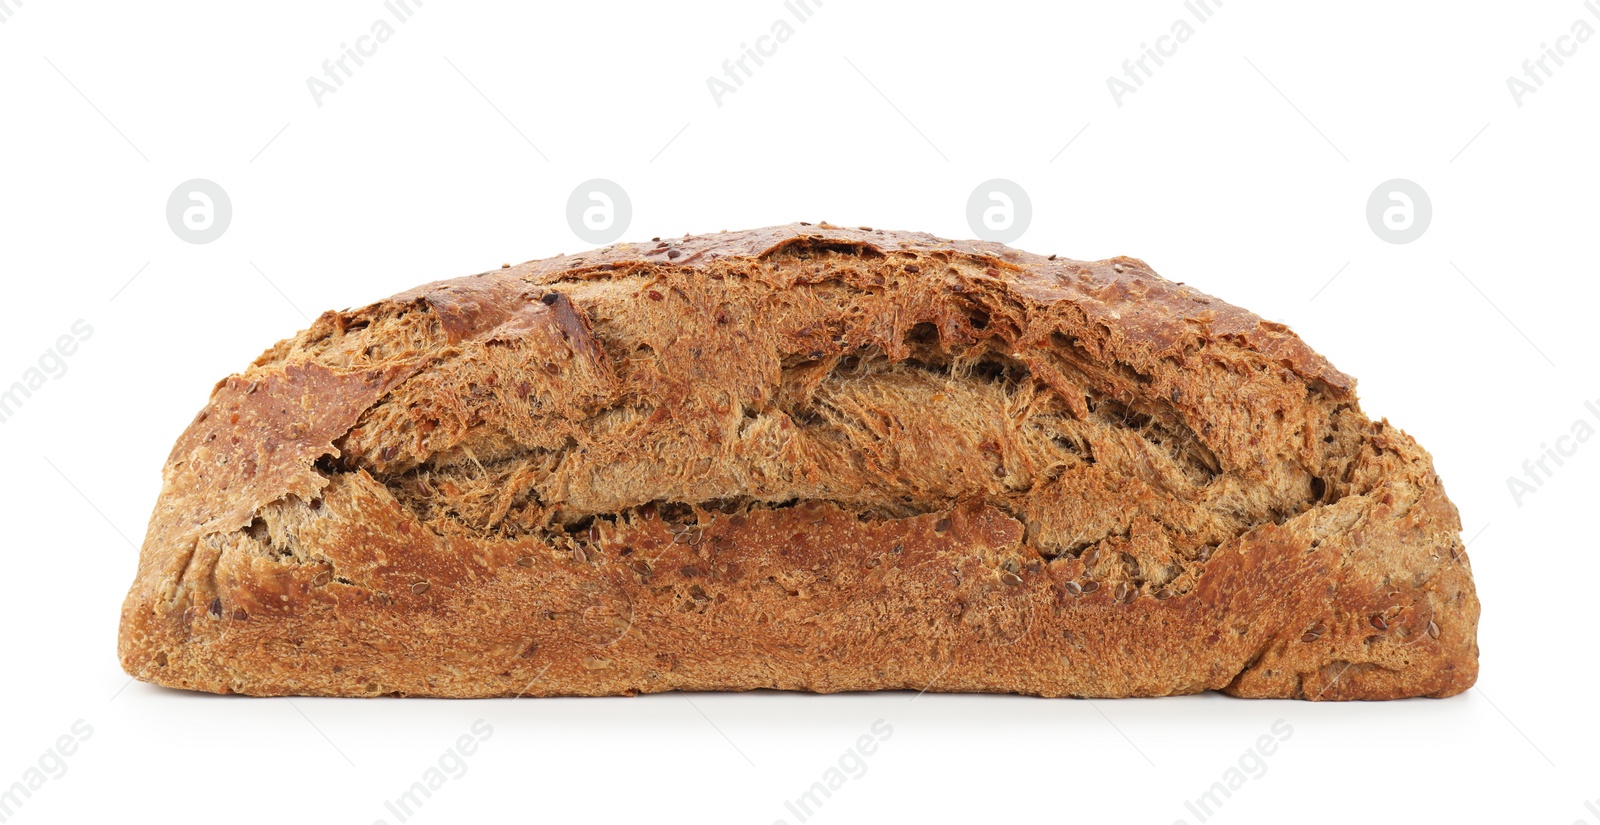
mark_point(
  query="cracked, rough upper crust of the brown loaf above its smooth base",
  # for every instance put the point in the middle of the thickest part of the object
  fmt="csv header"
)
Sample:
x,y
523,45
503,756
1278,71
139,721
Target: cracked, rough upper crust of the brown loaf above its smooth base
x,y
889,373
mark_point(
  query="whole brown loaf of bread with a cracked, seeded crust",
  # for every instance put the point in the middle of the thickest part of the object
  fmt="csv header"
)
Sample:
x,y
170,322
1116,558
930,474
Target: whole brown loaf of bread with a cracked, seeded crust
x,y
802,458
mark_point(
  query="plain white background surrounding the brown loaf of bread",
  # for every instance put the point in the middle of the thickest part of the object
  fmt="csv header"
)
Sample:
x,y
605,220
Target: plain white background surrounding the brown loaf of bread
x,y
1242,167
